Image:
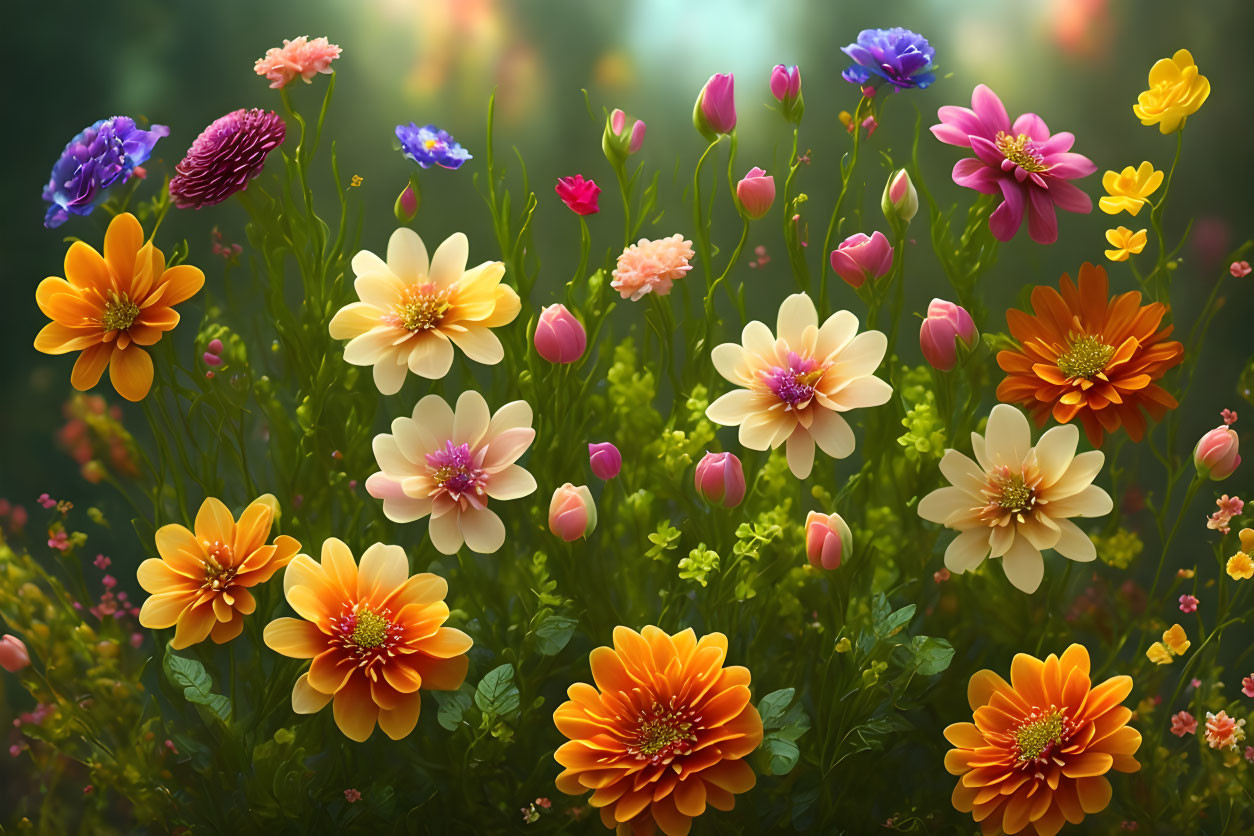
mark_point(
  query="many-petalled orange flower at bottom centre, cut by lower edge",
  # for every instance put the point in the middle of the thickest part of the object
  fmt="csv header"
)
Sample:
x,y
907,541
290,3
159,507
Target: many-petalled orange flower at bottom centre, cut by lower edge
x,y
664,733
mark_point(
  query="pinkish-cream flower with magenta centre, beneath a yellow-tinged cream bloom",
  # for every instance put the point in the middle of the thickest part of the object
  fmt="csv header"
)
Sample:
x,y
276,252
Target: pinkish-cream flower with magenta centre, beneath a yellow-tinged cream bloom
x,y
448,464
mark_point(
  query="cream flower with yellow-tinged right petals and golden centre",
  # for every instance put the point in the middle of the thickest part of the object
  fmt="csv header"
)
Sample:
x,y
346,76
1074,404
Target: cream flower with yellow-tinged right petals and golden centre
x,y
414,310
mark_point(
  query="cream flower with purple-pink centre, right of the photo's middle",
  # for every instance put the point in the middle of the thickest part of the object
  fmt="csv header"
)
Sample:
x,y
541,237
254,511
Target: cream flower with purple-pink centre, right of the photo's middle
x,y
798,382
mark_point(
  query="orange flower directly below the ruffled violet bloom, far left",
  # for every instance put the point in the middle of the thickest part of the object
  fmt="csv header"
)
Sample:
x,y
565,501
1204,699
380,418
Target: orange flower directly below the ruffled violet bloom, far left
x,y
108,306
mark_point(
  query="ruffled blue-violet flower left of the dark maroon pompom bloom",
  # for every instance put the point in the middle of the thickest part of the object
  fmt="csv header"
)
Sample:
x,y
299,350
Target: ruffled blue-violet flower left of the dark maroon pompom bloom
x,y
97,159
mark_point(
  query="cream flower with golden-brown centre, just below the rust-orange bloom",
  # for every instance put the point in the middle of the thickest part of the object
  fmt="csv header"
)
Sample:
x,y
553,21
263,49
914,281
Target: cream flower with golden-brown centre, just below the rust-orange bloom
x,y
1016,501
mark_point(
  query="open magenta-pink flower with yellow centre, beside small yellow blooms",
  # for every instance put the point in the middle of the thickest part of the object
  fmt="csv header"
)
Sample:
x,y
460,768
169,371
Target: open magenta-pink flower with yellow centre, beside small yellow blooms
x,y
1025,162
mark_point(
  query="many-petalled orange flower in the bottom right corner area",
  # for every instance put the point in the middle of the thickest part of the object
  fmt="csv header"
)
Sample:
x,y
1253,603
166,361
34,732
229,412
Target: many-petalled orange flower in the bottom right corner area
x,y
1040,749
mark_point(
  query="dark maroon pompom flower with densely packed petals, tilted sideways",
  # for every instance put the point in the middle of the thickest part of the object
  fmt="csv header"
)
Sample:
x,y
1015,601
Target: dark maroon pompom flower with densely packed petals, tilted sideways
x,y
225,157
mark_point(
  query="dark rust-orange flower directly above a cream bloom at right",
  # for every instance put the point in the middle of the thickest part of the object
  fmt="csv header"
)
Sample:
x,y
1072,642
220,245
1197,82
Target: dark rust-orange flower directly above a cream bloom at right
x,y
1087,355
